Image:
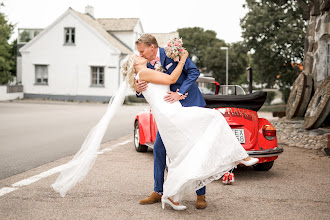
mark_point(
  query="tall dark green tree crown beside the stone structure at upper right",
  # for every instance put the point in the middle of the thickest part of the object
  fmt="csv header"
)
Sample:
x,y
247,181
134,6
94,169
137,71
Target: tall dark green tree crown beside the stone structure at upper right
x,y
274,32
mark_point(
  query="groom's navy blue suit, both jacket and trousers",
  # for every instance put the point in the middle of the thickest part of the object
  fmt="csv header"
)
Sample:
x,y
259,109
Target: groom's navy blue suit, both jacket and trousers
x,y
185,83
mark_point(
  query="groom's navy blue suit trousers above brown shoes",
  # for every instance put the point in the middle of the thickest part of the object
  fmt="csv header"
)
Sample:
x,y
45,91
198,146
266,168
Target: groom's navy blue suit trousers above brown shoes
x,y
160,164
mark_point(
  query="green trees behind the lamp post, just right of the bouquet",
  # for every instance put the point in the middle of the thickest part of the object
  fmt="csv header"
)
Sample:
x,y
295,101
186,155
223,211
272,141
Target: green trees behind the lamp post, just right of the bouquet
x,y
204,48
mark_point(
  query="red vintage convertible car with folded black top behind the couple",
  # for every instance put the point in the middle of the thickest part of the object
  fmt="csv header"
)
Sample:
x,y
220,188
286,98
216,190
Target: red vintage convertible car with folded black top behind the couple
x,y
257,135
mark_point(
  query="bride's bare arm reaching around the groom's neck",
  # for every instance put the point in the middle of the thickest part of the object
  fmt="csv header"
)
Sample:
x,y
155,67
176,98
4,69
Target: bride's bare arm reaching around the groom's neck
x,y
157,77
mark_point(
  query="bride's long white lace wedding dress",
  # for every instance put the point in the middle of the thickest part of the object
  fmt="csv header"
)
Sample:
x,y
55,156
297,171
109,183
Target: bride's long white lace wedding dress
x,y
199,143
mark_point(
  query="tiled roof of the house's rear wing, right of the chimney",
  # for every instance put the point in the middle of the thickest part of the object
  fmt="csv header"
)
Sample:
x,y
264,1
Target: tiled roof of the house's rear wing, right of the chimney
x,y
118,24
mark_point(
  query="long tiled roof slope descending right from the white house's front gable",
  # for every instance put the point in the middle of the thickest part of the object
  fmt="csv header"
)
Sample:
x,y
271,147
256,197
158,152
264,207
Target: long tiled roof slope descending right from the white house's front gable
x,y
101,30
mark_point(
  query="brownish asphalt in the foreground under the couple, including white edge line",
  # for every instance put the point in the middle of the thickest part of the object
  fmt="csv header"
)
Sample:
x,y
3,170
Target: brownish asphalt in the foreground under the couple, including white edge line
x,y
297,187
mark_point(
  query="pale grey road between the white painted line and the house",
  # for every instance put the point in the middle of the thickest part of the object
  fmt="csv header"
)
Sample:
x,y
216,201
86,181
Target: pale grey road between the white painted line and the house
x,y
33,133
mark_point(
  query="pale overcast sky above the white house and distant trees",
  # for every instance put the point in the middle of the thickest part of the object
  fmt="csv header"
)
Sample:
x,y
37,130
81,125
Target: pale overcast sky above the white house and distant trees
x,y
221,16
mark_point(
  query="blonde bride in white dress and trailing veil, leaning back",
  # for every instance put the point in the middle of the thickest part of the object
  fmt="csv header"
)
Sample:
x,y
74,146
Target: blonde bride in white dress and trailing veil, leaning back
x,y
199,143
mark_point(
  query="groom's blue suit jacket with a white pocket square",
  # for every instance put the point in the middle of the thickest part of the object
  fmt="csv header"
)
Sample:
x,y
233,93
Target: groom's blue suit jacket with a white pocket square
x,y
186,82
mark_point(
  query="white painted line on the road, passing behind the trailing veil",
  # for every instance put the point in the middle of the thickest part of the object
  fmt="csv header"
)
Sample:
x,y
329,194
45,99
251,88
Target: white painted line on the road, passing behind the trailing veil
x,y
30,180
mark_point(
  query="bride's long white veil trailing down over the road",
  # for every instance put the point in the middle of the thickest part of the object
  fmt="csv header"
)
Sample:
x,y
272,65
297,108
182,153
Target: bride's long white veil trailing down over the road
x,y
76,169
